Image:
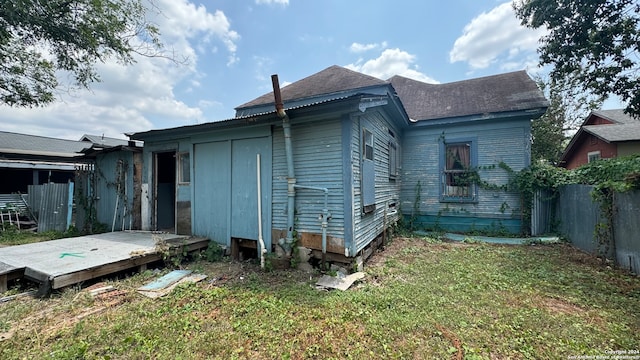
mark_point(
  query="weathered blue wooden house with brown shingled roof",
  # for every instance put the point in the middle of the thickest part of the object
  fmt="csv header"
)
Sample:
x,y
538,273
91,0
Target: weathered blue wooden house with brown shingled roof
x,y
339,162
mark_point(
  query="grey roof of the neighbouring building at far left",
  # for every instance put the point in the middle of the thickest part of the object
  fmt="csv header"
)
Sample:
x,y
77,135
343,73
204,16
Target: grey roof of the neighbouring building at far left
x,y
14,143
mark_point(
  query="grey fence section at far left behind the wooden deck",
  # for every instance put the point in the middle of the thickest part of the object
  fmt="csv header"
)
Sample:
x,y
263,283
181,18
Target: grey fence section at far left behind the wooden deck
x,y
52,205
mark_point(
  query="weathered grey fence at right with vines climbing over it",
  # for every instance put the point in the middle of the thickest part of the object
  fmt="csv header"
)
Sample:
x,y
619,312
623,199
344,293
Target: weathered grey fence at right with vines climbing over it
x,y
578,218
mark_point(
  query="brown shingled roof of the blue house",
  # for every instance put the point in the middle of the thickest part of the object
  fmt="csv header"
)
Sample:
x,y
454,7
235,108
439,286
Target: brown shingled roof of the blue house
x,y
493,94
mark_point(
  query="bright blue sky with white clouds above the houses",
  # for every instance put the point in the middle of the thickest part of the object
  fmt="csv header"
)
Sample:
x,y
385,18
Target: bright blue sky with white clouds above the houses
x,y
232,47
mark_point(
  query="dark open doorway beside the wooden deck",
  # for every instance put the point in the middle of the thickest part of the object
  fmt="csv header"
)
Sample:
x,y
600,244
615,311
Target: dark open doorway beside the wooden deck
x,y
165,191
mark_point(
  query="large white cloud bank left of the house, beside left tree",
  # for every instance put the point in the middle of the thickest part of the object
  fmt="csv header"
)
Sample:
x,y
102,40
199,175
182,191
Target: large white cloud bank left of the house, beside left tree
x,y
141,96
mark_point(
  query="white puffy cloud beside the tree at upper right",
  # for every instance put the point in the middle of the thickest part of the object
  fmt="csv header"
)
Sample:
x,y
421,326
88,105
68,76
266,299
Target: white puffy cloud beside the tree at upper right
x,y
497,36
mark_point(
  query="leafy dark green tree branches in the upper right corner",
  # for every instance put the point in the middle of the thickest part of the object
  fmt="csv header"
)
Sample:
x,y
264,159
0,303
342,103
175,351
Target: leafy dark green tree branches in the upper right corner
x,y
592,45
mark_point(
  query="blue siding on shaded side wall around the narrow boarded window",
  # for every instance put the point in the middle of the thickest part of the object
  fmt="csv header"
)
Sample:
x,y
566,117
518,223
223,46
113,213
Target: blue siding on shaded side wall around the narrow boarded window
x,y
368,226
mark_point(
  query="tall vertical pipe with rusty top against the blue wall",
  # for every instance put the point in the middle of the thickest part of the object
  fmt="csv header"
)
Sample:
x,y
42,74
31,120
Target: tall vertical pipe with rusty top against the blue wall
x,y
291,177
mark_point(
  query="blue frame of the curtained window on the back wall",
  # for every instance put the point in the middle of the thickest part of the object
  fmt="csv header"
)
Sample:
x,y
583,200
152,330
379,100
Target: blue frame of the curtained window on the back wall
x,y
472,196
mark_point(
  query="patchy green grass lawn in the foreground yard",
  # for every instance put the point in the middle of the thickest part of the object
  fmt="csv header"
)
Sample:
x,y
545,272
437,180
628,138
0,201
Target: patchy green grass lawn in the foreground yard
x,y
420,299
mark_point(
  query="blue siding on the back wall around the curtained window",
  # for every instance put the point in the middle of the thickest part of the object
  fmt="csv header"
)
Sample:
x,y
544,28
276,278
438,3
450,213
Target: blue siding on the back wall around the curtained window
x,y
506,141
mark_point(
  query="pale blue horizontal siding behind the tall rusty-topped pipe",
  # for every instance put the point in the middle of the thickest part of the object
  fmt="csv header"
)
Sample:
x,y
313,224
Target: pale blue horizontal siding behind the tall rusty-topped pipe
x,y
317,162
